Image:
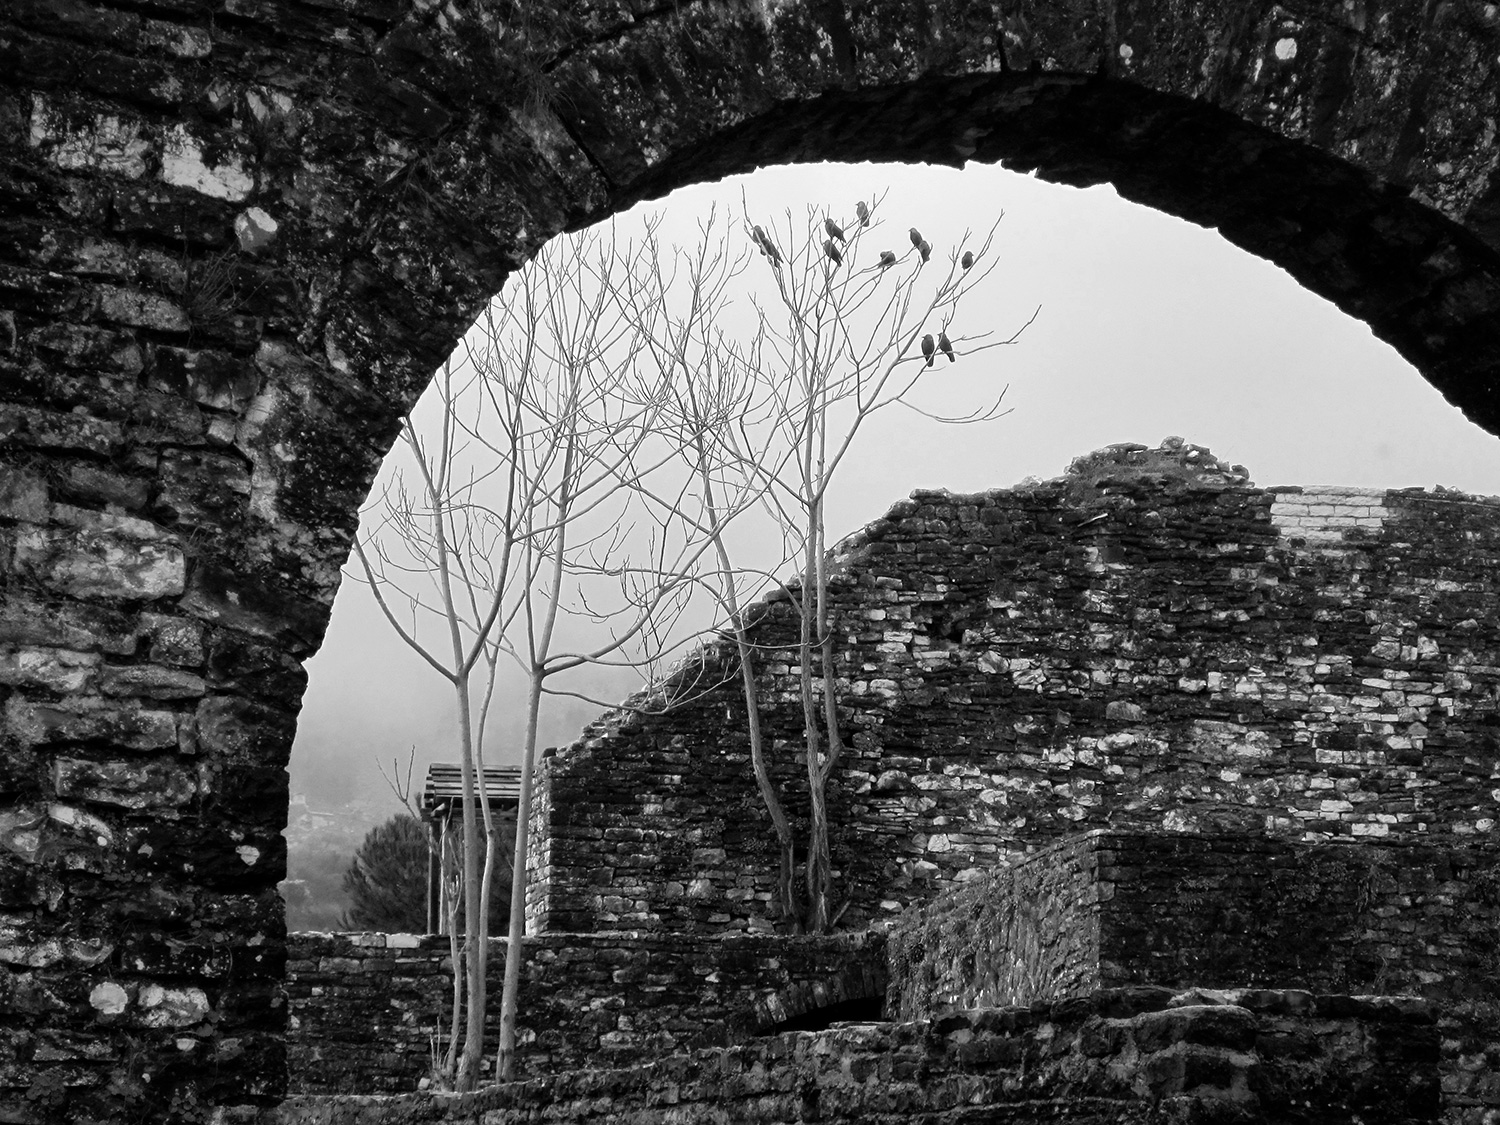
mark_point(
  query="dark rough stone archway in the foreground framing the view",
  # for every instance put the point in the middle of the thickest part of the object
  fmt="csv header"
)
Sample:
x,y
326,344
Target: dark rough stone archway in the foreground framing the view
x,y
238,236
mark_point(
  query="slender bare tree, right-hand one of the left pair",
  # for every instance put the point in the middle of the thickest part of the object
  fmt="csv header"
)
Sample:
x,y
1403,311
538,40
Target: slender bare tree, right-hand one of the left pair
x,y
563,361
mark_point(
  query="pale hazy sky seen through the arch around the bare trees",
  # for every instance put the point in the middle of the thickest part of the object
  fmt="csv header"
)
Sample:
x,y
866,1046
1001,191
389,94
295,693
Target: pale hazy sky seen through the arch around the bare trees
x,y
1150,328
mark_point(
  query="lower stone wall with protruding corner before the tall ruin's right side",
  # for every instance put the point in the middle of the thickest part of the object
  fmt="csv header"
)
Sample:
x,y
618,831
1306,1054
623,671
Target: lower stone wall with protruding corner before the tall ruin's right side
x,y
1111,908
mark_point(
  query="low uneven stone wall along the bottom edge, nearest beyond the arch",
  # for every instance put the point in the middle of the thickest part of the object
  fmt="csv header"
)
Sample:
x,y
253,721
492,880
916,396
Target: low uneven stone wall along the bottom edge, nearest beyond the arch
x,y
1121,1058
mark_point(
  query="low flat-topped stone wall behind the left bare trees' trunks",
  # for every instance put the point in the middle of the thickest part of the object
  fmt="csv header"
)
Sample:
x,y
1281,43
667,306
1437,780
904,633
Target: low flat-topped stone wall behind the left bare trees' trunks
x,y
365,1007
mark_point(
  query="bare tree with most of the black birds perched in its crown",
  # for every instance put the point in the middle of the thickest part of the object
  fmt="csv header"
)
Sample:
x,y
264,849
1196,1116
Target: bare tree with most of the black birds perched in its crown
x,y
850,335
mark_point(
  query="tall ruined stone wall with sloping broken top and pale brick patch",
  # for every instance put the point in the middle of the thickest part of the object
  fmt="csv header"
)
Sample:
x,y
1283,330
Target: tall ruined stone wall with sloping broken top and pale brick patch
x,y
1148,643
